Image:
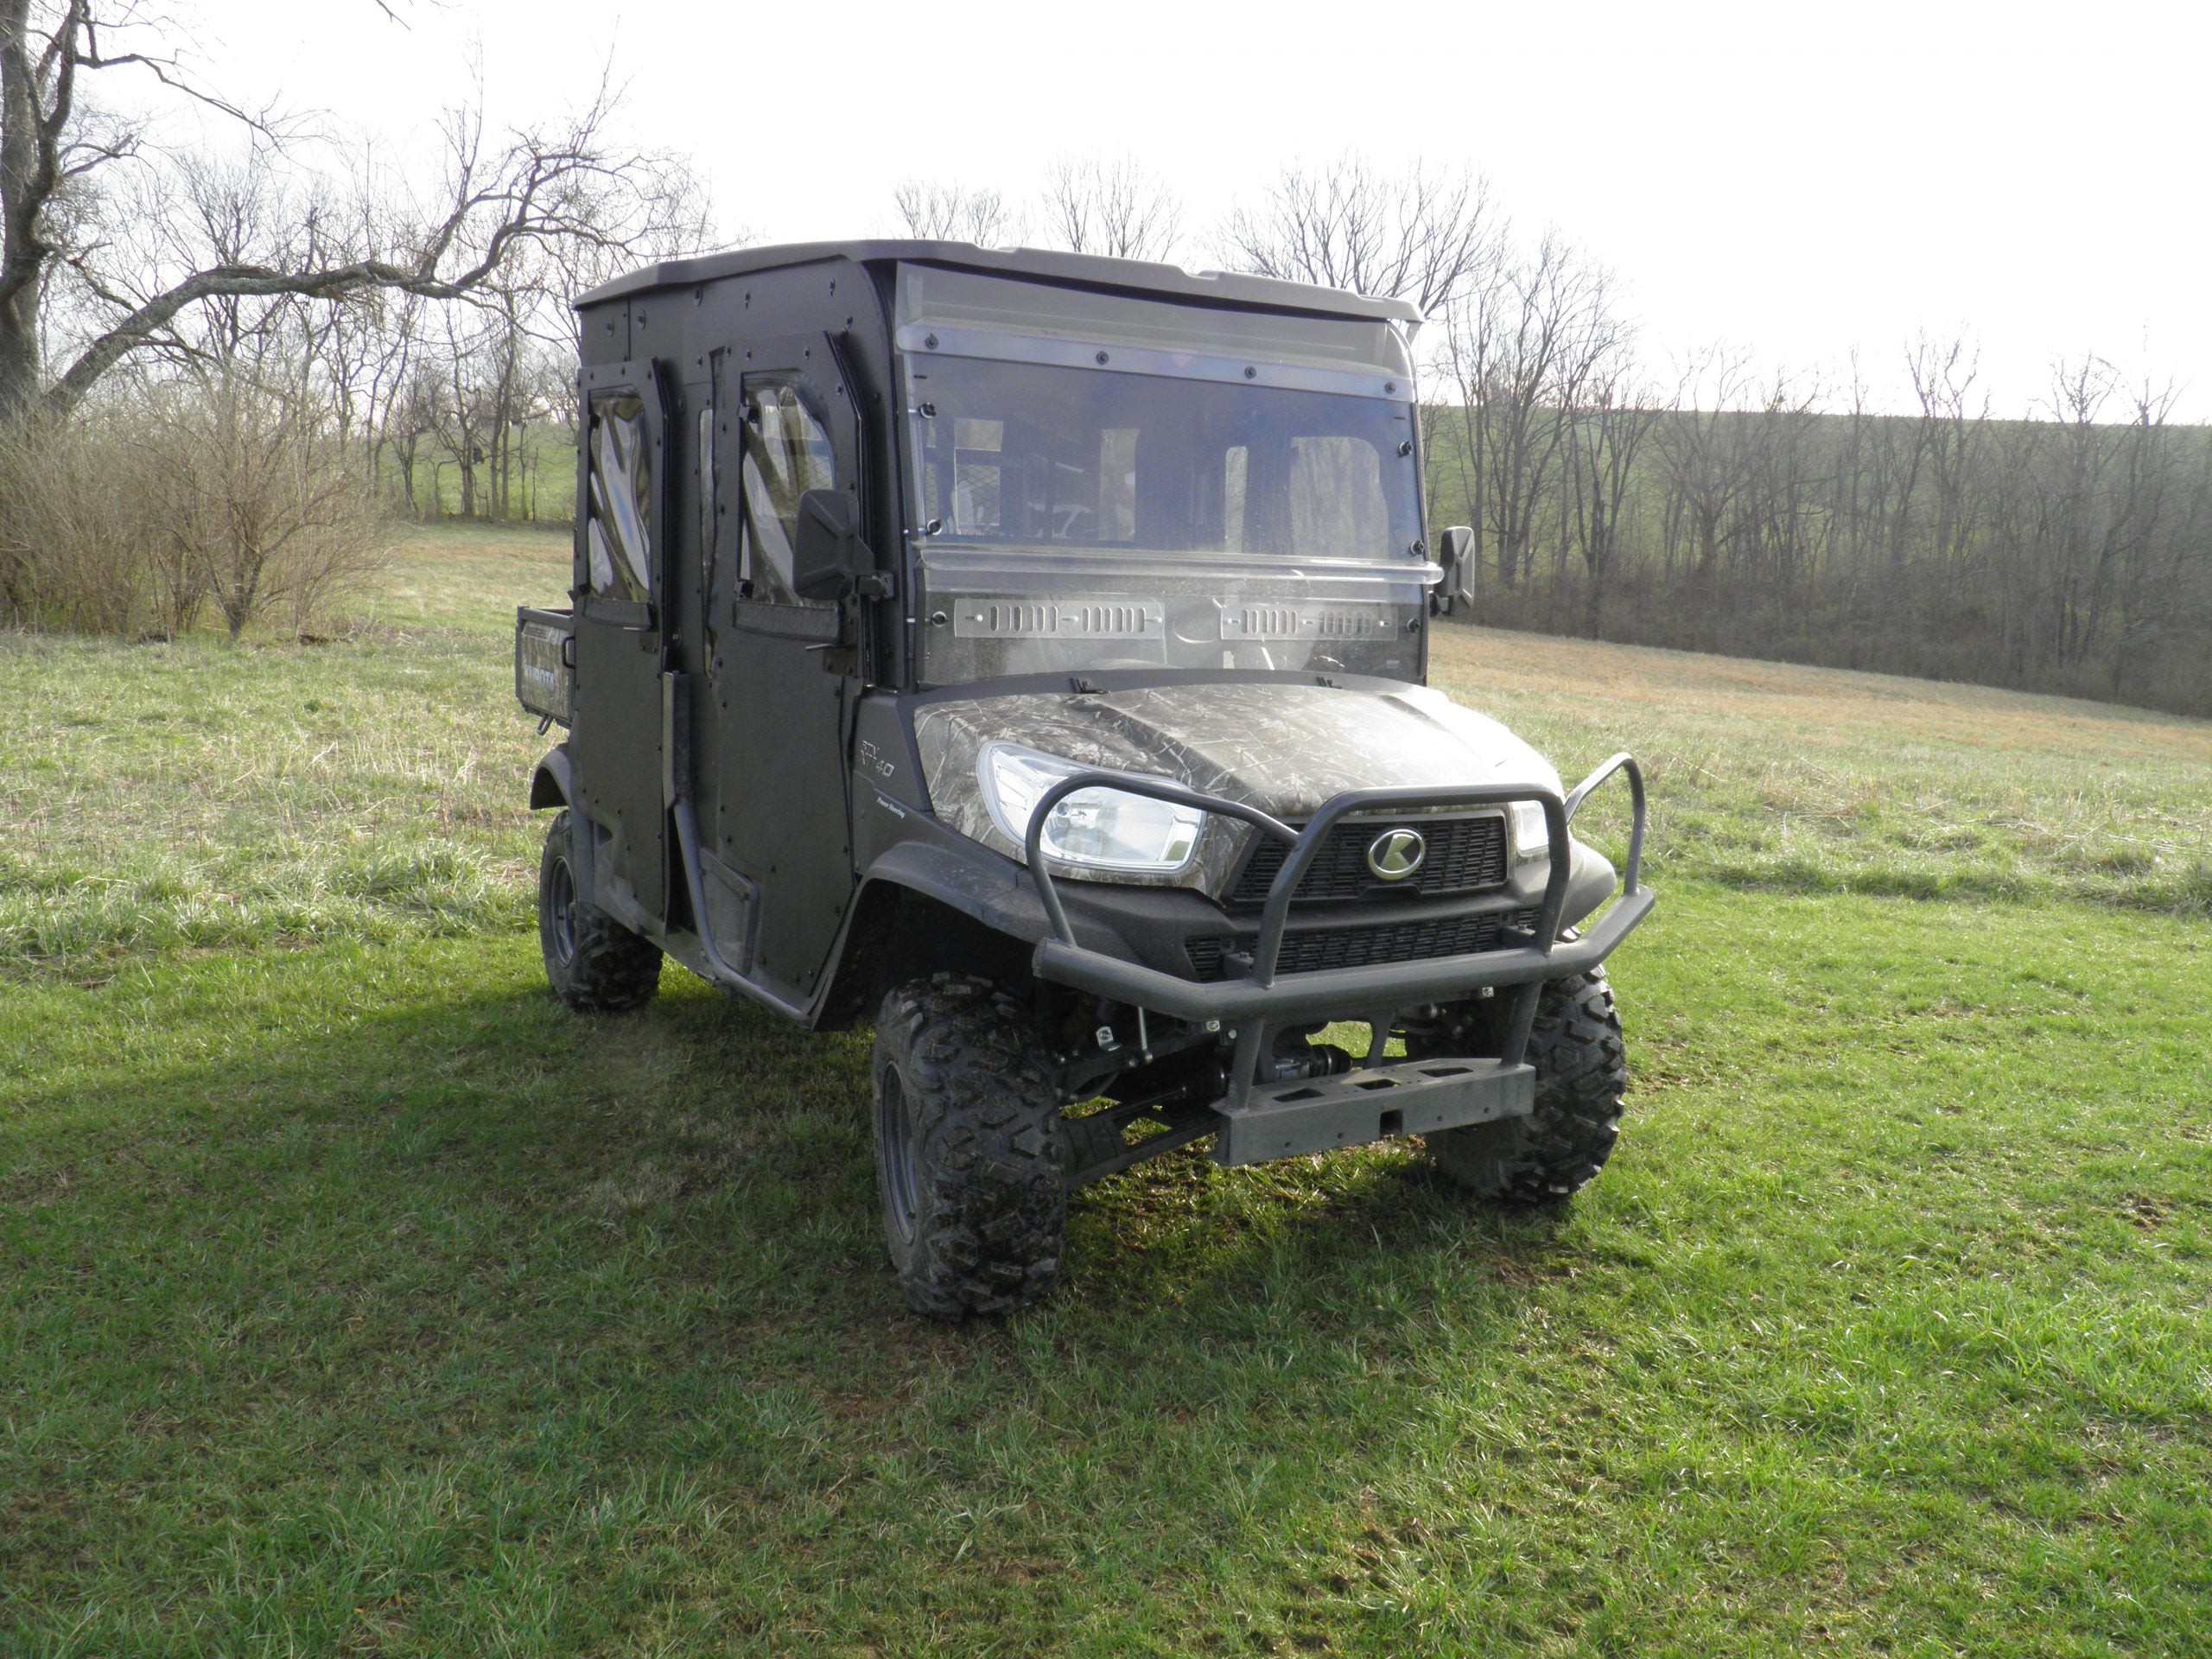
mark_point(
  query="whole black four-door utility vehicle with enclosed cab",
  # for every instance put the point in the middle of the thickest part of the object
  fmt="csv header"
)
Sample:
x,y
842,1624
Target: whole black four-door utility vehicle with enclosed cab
x,y
1027,651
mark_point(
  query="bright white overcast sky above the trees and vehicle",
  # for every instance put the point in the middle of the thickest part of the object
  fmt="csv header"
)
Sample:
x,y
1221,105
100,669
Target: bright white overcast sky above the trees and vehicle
x,y
1786,178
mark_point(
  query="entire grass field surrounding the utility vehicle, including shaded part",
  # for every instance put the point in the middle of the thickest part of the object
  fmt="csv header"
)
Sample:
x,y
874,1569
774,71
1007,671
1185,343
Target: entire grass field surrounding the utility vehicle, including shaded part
x,y
357,1300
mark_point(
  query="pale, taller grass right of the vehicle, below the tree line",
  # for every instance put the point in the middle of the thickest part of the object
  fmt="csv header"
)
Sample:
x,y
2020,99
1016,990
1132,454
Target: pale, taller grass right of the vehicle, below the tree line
x,y
1819,780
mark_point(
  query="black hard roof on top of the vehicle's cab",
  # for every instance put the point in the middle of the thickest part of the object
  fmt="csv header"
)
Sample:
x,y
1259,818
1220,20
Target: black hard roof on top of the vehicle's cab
x,y
1083,271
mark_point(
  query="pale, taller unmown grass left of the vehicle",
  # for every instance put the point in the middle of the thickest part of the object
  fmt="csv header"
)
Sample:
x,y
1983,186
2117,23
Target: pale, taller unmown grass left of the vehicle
x,y
202,795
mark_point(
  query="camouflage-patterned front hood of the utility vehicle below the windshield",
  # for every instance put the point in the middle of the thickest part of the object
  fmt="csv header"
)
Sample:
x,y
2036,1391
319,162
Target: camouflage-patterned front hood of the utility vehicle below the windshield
x,y
1282,749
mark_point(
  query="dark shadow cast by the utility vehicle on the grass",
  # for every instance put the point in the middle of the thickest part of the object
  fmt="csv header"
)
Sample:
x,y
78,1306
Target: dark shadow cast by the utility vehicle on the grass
x,y
479,1198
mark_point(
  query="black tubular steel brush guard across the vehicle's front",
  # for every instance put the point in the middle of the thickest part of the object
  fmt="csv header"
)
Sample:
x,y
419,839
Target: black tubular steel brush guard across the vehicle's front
x,y
1344,992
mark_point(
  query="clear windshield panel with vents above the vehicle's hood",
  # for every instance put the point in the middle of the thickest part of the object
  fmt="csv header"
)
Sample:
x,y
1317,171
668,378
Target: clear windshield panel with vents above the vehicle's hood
x,y
1089,519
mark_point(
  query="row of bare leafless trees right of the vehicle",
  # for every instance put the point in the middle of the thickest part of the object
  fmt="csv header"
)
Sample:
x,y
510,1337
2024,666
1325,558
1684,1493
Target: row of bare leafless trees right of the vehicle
x,y
2063,550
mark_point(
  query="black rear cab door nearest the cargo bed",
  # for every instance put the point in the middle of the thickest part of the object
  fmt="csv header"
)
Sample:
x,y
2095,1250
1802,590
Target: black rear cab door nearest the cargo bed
x,y
620,620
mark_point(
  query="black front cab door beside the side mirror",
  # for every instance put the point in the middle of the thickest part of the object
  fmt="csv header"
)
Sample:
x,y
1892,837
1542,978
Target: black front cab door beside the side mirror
x,y
784,671
